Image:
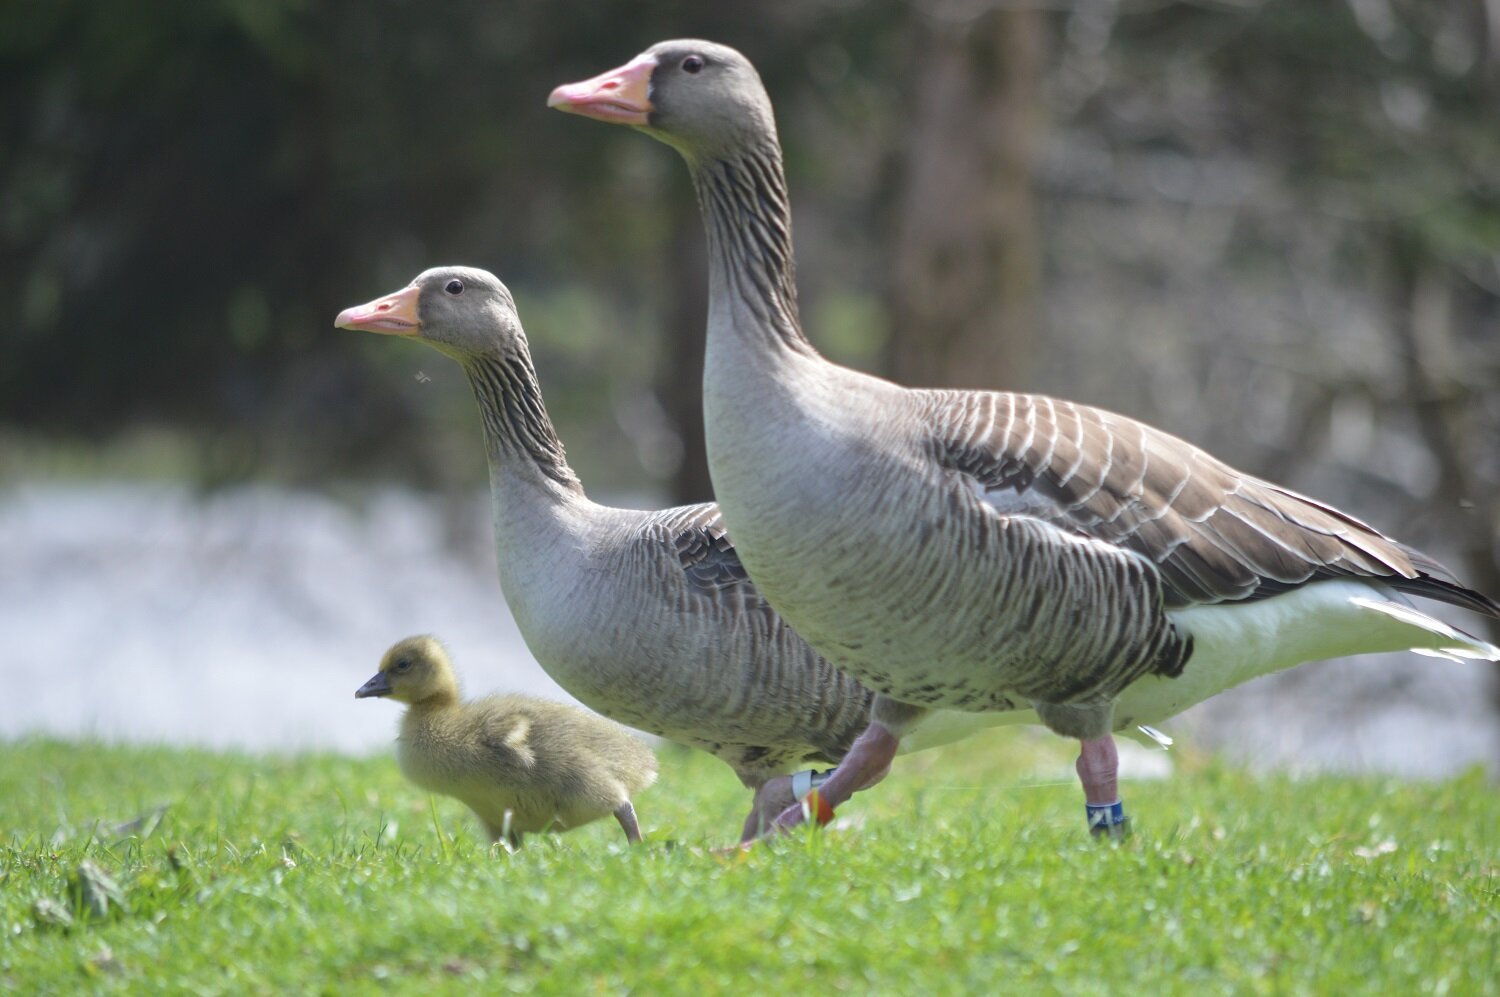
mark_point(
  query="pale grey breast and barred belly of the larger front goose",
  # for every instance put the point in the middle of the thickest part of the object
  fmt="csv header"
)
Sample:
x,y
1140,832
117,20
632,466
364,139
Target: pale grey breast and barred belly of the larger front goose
x,y
895,570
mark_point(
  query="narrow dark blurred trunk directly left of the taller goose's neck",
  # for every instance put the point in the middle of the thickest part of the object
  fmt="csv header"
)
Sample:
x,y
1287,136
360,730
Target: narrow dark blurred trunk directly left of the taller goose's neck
x,y
682,382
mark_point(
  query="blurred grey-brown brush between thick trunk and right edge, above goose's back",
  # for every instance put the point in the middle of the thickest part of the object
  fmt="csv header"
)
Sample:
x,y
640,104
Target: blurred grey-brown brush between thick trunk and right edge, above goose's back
x,y
1316,188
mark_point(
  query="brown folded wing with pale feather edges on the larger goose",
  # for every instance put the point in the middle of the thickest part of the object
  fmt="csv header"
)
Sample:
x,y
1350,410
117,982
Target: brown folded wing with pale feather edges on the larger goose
x,y
1216,534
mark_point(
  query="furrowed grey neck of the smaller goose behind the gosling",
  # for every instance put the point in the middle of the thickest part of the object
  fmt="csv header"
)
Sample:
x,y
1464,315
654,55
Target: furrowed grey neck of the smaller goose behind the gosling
x,y
520,439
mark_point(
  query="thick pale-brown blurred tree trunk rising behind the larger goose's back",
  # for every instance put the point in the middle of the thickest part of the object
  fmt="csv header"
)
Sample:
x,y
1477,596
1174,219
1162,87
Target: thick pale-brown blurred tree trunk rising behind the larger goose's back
x,y
965,256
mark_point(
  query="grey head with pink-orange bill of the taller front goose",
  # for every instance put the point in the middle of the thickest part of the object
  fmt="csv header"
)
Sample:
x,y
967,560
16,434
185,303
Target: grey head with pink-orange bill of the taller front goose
x,y
701,98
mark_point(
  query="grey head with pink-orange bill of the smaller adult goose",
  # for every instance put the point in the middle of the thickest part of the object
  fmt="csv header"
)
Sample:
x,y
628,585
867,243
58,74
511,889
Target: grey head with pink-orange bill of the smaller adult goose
x,y
463,311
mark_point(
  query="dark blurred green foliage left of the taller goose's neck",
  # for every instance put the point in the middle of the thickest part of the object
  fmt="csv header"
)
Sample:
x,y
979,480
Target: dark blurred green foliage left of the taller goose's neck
x,y
193,190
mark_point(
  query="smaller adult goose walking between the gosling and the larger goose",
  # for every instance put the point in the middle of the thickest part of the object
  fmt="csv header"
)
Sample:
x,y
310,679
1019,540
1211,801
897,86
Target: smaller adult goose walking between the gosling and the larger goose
x,y
646,617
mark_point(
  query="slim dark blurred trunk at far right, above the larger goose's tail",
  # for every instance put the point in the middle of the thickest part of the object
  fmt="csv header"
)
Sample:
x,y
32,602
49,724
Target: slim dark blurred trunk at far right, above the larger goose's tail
x,y
1444,404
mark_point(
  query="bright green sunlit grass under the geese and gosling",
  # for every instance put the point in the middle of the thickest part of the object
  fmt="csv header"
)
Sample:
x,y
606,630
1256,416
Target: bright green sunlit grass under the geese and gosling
x,y
965,873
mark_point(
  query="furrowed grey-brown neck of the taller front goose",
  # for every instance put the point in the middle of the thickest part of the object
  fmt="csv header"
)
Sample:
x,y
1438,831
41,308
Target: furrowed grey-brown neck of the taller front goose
x,y
752,275
